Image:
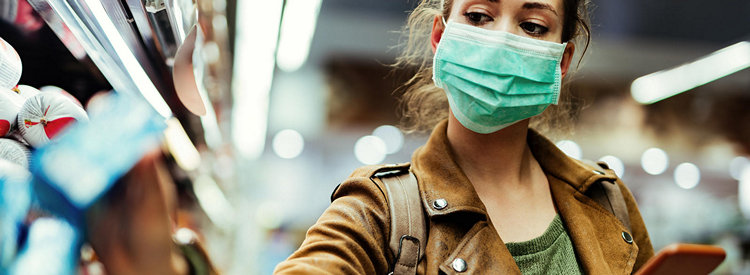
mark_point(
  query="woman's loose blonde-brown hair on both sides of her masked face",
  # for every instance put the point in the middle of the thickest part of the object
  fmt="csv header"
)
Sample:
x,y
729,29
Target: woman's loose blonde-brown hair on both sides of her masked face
x,y
423,104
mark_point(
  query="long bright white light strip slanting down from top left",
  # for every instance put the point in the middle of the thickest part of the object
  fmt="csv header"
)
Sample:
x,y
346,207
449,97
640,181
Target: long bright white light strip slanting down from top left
x,y
132,66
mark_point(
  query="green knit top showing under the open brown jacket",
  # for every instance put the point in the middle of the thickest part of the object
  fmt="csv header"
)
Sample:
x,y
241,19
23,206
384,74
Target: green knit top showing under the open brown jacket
x,y
550,253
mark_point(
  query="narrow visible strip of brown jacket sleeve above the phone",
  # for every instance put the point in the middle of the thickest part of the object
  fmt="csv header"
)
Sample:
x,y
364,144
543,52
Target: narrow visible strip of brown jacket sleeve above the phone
x,y
638,228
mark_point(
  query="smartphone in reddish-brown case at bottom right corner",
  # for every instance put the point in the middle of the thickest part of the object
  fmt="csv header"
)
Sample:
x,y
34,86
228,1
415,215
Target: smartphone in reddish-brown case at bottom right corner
x,y
684,259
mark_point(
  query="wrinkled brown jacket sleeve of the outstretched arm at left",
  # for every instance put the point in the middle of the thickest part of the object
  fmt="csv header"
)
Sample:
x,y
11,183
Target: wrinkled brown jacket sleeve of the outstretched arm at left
x,y
350,236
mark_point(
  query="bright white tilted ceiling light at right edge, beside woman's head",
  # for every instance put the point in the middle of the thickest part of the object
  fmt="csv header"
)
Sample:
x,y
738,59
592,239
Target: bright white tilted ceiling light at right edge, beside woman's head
x,y
664,84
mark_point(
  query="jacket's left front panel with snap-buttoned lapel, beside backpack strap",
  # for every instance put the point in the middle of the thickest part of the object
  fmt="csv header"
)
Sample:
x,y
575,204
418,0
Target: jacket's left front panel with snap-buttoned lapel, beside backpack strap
x,y
457,218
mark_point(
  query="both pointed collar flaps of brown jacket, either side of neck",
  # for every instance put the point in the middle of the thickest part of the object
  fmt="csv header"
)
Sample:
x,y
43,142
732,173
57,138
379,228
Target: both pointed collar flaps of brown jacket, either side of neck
x,y
440,177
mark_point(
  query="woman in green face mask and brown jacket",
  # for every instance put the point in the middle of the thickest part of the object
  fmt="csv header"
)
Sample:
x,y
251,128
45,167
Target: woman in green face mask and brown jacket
x,y
498,197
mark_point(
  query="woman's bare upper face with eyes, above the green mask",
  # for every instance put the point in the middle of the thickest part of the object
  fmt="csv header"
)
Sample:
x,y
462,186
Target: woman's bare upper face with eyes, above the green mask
x,y
539,19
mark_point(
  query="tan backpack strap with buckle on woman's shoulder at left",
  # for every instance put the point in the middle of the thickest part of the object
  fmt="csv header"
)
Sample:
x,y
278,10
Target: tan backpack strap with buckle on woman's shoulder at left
x,y
408,228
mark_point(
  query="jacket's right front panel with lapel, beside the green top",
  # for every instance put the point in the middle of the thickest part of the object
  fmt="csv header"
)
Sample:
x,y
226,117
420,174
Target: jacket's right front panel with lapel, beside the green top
x,y
597,234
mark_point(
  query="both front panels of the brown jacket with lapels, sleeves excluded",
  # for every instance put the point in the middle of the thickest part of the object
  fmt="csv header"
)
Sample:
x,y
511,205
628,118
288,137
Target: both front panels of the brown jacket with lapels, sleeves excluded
x,y
460,228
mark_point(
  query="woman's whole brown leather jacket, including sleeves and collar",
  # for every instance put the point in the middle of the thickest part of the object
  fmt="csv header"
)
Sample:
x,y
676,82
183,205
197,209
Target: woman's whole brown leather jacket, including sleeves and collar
x,y
351,237
